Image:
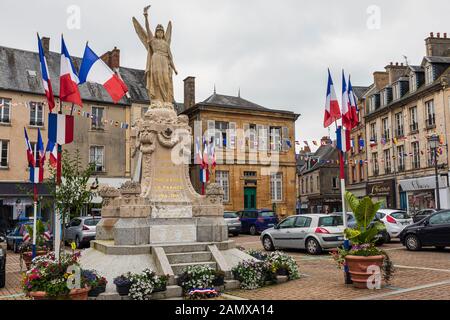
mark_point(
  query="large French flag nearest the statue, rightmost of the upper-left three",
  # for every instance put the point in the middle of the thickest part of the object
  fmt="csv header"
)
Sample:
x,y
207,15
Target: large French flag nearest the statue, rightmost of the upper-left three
x,y
93,69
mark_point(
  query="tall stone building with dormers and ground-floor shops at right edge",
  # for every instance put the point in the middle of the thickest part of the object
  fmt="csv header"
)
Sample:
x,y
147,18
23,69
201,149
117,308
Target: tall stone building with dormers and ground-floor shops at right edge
x,y
410,104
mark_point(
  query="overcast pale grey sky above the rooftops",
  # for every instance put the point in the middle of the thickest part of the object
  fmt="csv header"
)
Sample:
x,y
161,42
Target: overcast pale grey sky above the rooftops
x,y
277,52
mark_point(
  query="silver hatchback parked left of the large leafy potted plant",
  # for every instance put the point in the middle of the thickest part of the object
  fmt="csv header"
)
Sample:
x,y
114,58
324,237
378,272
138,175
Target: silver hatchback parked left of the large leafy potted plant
x,y
313,232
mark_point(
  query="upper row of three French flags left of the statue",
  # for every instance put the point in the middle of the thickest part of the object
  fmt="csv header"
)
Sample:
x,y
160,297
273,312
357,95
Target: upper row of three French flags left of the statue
x,y
92,69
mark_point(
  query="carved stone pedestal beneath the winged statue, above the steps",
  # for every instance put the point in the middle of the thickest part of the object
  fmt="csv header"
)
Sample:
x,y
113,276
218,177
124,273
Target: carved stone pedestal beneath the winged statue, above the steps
x,y
162,207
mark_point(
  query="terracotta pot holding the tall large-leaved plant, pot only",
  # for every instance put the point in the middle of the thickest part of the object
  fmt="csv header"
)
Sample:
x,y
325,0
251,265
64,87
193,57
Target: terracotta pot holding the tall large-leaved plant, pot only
x,y
358,265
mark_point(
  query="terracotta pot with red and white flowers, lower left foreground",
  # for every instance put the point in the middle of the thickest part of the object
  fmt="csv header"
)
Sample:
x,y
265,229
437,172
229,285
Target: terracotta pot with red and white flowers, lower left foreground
x,y
49,279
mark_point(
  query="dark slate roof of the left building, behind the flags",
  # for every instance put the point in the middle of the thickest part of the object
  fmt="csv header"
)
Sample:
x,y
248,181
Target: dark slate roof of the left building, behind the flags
x,y
15,65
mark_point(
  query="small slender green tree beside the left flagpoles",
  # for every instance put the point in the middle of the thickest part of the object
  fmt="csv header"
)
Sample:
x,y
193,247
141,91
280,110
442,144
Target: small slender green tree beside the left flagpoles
x,y
73,193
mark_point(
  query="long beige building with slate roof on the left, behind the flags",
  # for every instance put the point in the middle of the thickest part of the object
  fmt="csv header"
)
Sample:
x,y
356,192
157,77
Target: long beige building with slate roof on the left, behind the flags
x,y
23,104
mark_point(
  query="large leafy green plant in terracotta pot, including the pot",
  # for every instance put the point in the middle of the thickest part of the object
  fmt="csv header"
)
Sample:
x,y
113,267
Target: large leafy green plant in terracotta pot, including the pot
x,y
363,258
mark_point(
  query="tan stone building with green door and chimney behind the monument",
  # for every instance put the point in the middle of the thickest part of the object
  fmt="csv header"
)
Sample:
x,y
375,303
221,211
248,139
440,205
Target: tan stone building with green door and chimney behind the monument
x,y
246,136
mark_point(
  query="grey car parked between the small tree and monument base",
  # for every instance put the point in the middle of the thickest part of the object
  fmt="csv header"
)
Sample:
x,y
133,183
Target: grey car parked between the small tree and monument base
x,y
81,230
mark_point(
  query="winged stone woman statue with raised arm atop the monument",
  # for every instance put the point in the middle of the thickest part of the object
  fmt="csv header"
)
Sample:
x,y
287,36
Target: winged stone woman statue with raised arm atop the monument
x,y
159,60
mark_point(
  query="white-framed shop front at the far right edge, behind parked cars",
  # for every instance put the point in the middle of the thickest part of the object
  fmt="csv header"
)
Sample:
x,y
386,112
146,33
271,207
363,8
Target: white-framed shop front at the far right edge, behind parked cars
x,y
420,193
